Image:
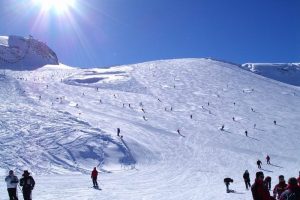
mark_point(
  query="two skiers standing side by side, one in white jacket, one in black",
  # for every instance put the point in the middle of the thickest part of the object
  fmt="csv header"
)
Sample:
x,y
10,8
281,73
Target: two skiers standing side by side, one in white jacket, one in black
x,y
26,182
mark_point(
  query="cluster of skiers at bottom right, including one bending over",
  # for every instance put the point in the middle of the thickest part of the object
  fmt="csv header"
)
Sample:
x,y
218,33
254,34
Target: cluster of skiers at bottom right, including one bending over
x,y
262,185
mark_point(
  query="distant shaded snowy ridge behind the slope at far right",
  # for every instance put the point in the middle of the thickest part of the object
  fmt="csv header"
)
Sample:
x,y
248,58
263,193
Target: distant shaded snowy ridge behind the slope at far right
x,y
285,72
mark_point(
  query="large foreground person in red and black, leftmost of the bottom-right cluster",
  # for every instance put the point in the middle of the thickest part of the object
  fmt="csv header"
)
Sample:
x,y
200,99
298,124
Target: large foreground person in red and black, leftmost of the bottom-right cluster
x,y
259,189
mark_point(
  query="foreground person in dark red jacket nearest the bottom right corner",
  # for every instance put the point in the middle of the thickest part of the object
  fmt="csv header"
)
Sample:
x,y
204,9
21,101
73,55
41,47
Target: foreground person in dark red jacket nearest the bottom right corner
x,y
292,191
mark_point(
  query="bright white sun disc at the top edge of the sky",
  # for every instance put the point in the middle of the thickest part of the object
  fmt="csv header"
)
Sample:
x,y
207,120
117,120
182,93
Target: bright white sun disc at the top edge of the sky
x,y
58,5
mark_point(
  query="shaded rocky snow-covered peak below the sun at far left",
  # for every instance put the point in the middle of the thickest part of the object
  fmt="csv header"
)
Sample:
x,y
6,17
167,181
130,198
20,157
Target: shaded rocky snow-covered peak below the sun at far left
x,y
19,53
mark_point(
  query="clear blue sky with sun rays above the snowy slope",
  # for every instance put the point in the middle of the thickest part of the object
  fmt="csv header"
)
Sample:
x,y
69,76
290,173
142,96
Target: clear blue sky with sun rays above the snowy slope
x,y
102,33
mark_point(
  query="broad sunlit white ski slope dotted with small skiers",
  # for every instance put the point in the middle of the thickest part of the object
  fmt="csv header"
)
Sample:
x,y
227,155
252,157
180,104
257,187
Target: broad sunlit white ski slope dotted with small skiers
x,y
54,125
